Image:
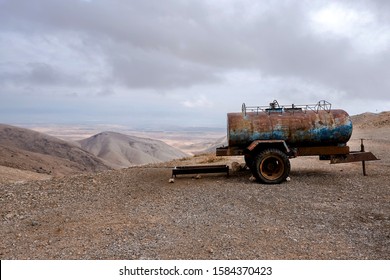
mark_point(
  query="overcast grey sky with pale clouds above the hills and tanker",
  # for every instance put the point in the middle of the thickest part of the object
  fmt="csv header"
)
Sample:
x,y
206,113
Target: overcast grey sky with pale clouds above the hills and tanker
x,y
188,63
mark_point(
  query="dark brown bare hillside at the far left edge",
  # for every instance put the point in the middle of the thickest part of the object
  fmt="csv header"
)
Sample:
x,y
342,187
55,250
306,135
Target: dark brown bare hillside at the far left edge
x,y
29,150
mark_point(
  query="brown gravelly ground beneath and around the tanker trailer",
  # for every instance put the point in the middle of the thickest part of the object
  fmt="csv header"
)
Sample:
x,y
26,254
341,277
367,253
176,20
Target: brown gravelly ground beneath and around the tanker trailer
x,y
324,212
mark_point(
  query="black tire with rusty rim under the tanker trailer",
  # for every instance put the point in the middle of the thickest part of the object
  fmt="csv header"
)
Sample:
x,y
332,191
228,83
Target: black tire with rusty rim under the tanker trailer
x,y
271,166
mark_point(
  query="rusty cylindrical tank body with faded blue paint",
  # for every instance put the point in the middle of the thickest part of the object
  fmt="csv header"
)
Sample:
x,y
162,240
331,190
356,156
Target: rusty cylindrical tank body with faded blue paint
x,y
298,128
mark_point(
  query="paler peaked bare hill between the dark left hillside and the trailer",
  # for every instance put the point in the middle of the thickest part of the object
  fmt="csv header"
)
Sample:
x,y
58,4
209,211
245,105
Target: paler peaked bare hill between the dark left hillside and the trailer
x,y
119,150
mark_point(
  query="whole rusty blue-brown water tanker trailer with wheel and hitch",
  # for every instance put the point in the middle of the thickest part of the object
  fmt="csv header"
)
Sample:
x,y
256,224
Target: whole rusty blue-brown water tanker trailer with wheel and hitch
x,y
268,136
